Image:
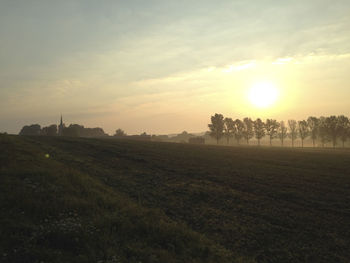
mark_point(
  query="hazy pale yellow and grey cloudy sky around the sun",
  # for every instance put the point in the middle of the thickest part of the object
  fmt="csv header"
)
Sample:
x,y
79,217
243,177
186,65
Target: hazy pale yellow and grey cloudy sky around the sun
x,y
166,66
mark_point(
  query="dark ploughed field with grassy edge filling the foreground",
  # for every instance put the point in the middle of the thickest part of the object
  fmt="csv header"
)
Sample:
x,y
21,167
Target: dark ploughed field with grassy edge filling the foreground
x,y
124,201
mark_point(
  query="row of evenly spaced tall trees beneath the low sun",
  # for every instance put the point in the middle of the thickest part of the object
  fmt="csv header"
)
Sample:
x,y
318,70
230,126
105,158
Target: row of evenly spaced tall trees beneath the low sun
x,y
323,129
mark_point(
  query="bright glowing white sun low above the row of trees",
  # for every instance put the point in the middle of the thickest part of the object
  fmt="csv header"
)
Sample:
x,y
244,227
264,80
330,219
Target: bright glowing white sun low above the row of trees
x,y
263,94
